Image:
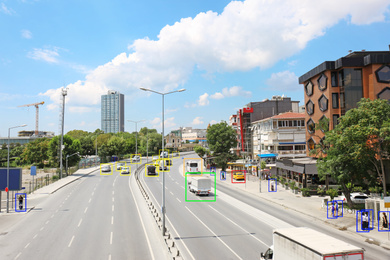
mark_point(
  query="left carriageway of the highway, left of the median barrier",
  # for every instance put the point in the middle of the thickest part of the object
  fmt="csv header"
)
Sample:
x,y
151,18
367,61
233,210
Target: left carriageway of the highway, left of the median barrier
x,y
95,217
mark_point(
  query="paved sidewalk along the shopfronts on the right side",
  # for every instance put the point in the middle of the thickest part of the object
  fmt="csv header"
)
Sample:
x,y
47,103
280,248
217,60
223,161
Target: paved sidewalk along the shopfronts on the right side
x,y
310,206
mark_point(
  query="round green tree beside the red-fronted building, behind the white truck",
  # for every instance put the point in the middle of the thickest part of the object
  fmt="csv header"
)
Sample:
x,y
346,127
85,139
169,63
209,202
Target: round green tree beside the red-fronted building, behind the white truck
x,y
221,138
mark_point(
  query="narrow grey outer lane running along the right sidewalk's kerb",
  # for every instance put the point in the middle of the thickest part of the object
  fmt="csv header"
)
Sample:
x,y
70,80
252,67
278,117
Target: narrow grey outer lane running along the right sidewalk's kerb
x,y
301,220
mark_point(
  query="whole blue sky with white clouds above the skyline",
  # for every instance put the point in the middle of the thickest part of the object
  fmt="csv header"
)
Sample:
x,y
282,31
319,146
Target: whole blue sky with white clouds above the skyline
x,y
224,53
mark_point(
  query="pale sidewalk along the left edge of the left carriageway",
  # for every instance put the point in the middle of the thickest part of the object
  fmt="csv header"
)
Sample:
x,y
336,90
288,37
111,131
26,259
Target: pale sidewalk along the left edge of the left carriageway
x,y
47,190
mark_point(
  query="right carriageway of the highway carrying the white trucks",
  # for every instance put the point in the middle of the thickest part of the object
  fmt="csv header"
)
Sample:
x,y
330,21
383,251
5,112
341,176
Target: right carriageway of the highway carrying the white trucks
x,y
235,226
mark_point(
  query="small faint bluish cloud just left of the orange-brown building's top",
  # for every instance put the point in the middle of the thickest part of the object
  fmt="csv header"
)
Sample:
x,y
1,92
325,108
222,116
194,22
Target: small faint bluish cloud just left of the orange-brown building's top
x,y
285,80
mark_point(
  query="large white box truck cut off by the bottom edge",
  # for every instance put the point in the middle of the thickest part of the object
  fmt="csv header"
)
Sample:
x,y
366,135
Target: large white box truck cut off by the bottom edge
x,y
307,244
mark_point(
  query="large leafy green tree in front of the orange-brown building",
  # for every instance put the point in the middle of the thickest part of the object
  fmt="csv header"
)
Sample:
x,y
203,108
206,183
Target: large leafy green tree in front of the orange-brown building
x,y
356,147
